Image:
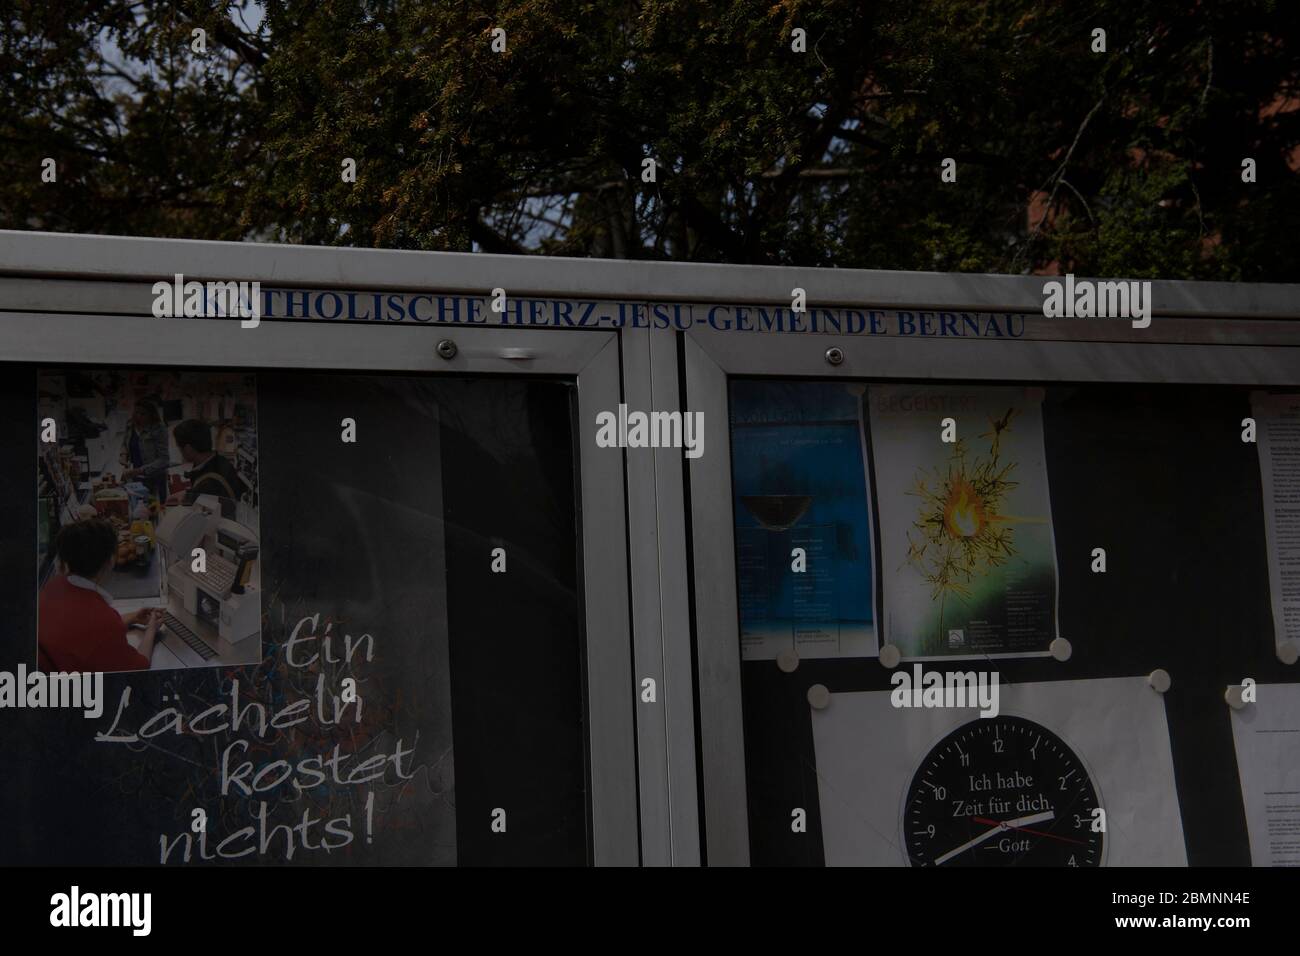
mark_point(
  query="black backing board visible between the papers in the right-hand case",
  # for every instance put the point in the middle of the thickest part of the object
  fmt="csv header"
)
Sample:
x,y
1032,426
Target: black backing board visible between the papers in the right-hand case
x,y
1160,478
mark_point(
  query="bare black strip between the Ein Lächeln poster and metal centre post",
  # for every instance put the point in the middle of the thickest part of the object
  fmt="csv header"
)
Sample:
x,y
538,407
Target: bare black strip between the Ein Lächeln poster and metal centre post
x,y
515,651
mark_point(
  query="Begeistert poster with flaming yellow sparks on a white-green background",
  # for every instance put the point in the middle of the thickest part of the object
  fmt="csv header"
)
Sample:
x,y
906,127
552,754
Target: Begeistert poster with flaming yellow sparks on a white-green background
x,y
968,555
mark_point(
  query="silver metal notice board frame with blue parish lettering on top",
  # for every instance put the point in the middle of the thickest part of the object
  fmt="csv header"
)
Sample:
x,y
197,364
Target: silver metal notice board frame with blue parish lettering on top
x,y
658,548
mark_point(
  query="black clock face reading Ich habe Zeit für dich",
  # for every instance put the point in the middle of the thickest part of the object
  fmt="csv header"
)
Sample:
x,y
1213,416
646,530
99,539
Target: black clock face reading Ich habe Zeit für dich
x,y
1002,791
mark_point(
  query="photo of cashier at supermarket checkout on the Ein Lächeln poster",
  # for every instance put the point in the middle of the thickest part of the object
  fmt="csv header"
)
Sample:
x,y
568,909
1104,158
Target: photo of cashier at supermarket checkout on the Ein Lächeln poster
x,y
149,531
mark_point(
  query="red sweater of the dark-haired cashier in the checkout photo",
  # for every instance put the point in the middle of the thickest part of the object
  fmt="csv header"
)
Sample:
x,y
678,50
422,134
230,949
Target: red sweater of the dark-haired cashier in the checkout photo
x,y
79,631
